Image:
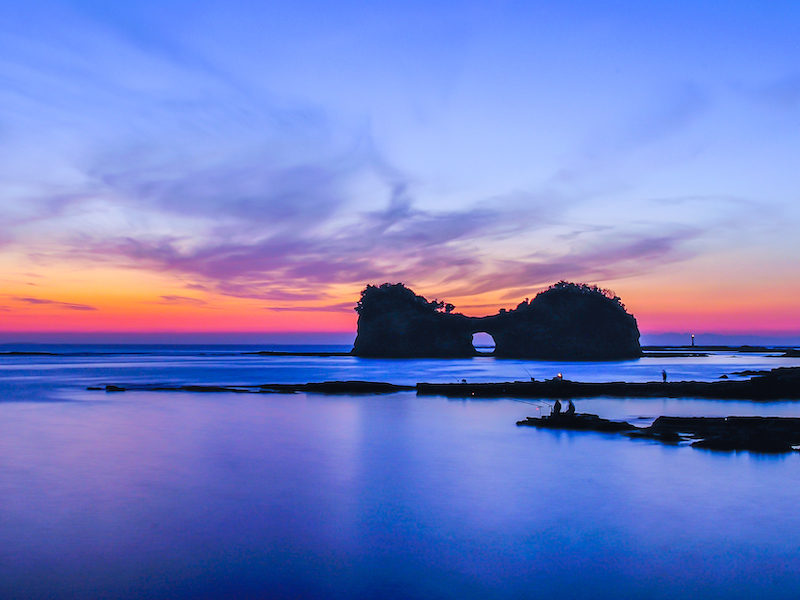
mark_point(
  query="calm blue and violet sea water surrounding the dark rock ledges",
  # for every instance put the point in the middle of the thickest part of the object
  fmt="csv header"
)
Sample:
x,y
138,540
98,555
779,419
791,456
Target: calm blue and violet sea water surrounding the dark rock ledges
x,y
179,495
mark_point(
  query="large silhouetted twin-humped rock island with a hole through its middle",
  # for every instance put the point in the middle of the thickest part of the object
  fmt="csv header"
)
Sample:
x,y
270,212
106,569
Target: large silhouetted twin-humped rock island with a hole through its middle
x,y
568,321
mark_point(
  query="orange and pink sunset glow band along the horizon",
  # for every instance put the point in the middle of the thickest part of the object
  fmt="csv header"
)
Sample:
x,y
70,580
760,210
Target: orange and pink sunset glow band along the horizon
x,y
677,299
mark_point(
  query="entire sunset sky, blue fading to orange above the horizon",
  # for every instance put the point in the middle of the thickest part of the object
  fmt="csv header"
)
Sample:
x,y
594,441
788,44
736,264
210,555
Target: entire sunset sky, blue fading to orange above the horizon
x,y
249,166
